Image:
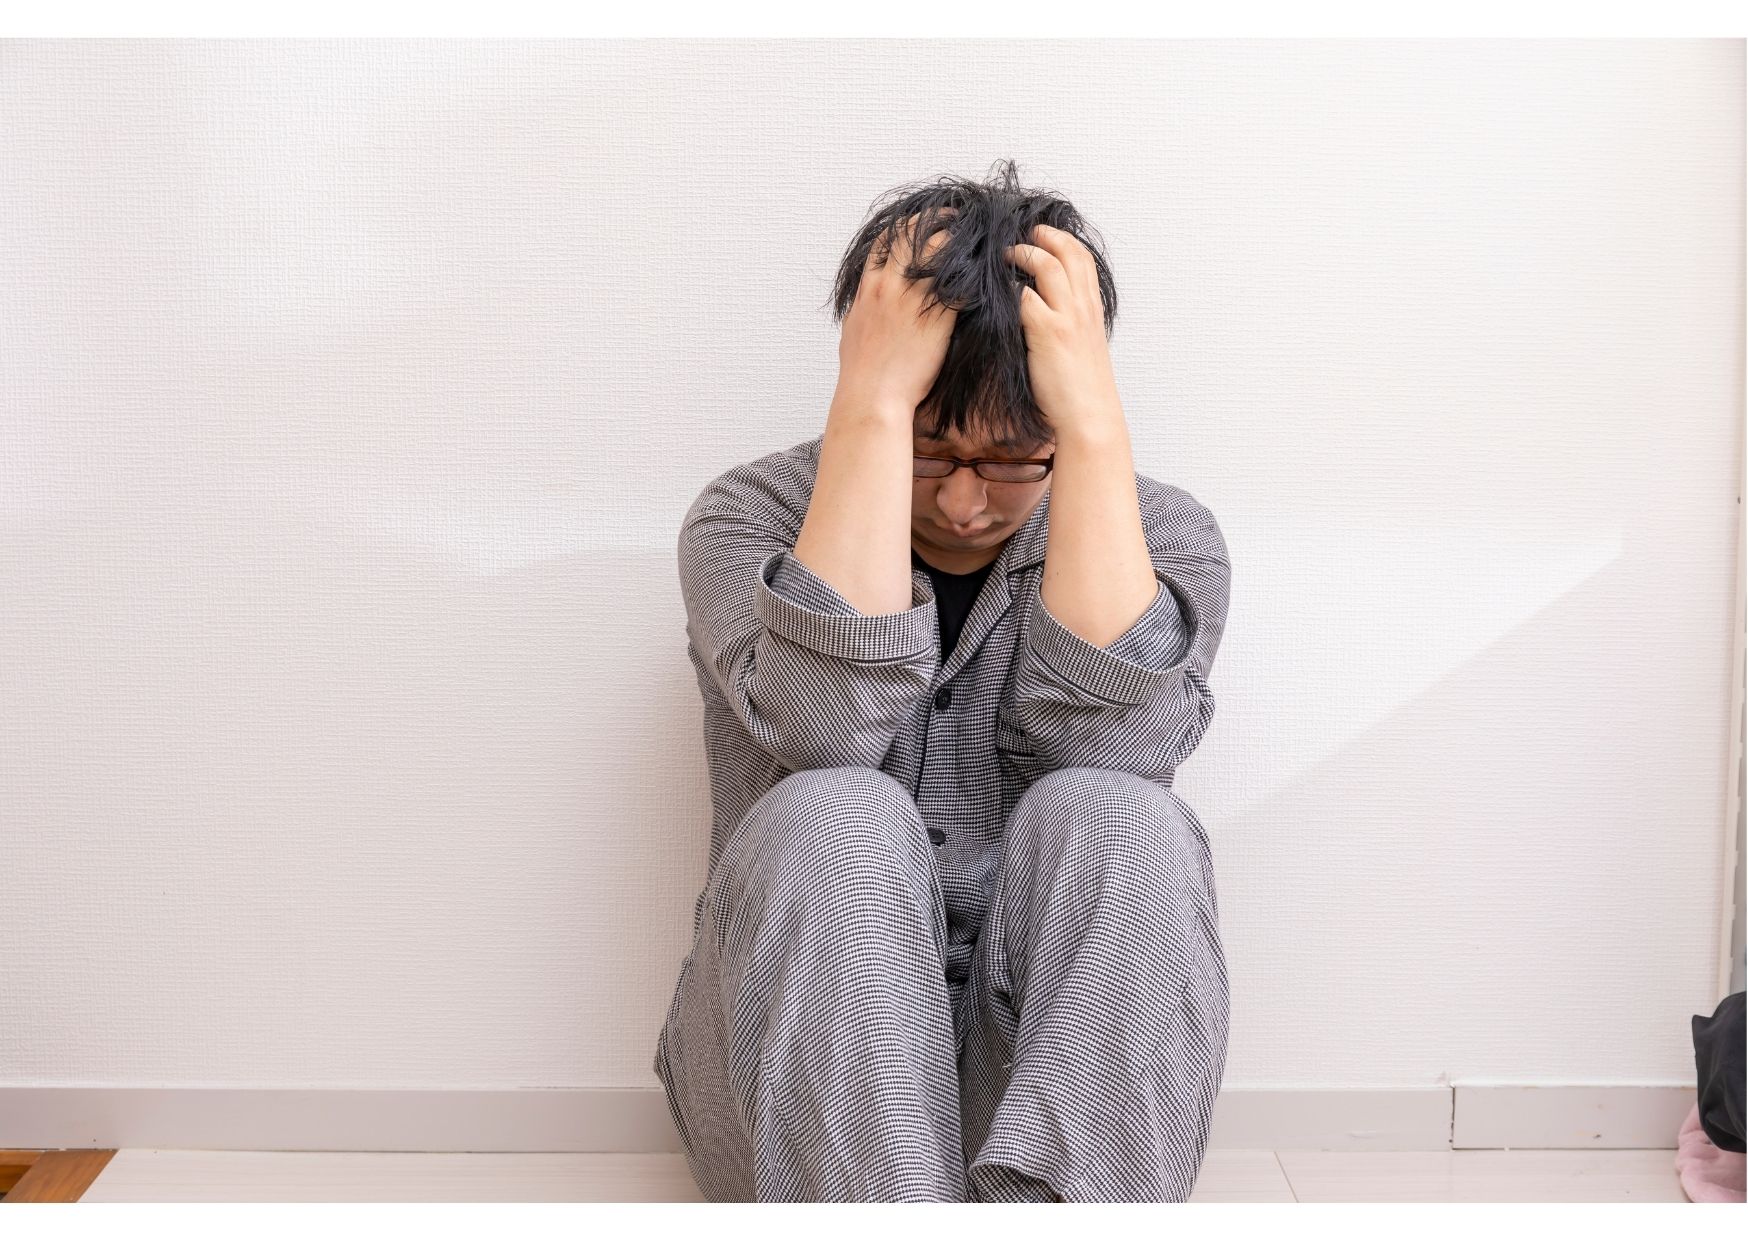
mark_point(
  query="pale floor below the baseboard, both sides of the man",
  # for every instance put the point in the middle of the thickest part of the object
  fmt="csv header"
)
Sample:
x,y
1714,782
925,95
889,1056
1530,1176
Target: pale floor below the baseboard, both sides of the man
x,y
1228,1176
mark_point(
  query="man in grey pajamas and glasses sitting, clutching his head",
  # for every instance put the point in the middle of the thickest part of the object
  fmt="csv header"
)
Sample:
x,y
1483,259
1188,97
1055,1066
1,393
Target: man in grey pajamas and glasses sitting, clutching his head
x,y
959,938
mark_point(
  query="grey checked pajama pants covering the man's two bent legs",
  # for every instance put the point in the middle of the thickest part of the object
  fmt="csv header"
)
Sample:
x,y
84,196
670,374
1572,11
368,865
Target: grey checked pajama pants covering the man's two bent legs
x,y
817,1050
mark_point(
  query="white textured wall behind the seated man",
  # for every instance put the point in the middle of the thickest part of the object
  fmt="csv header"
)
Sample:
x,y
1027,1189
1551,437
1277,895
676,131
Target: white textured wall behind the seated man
x,y
354,394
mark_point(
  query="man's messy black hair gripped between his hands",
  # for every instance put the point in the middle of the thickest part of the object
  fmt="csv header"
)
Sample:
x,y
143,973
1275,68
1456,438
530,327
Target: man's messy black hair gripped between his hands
x,y
983,389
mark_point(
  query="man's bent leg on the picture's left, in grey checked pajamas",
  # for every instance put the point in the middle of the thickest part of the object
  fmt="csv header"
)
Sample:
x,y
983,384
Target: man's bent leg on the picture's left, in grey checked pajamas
x,y
810,1048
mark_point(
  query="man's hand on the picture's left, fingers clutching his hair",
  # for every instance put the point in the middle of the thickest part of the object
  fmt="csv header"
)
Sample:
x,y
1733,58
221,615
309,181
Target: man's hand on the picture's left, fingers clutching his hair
x,y
892,349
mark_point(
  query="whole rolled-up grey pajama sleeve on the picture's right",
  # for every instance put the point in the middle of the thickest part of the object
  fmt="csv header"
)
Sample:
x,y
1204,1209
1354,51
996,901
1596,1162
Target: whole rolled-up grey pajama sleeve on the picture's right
x,y
1141,704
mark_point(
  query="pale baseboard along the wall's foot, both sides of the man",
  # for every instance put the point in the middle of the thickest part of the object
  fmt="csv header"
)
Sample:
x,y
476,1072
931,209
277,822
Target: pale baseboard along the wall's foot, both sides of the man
x,y
1460,1117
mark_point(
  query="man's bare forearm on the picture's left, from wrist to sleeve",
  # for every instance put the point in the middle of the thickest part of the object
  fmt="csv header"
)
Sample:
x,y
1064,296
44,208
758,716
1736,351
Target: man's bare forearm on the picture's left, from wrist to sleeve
x,y
857,534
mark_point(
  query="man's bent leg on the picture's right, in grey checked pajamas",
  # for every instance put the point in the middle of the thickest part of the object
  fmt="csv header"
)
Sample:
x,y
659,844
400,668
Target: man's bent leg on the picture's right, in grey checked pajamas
x,y
1099,1000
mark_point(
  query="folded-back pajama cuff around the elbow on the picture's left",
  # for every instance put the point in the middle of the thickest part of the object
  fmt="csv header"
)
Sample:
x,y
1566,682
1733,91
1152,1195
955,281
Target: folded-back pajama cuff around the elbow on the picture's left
x,y
798,604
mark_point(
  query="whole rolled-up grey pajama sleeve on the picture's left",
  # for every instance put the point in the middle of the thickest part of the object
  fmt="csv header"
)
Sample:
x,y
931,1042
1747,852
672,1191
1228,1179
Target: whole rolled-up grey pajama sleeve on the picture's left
x,y
814,681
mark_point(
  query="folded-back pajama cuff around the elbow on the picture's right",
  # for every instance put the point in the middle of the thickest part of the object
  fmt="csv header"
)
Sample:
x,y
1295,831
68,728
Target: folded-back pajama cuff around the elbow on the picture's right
x,y
1132,667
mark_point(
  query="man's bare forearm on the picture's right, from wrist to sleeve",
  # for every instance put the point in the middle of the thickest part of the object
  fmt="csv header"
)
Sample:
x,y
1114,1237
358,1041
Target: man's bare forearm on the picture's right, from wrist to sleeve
x,y
1099,576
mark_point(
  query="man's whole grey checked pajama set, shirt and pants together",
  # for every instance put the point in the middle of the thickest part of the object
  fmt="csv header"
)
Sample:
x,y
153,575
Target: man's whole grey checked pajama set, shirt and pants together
x,y
959,940
